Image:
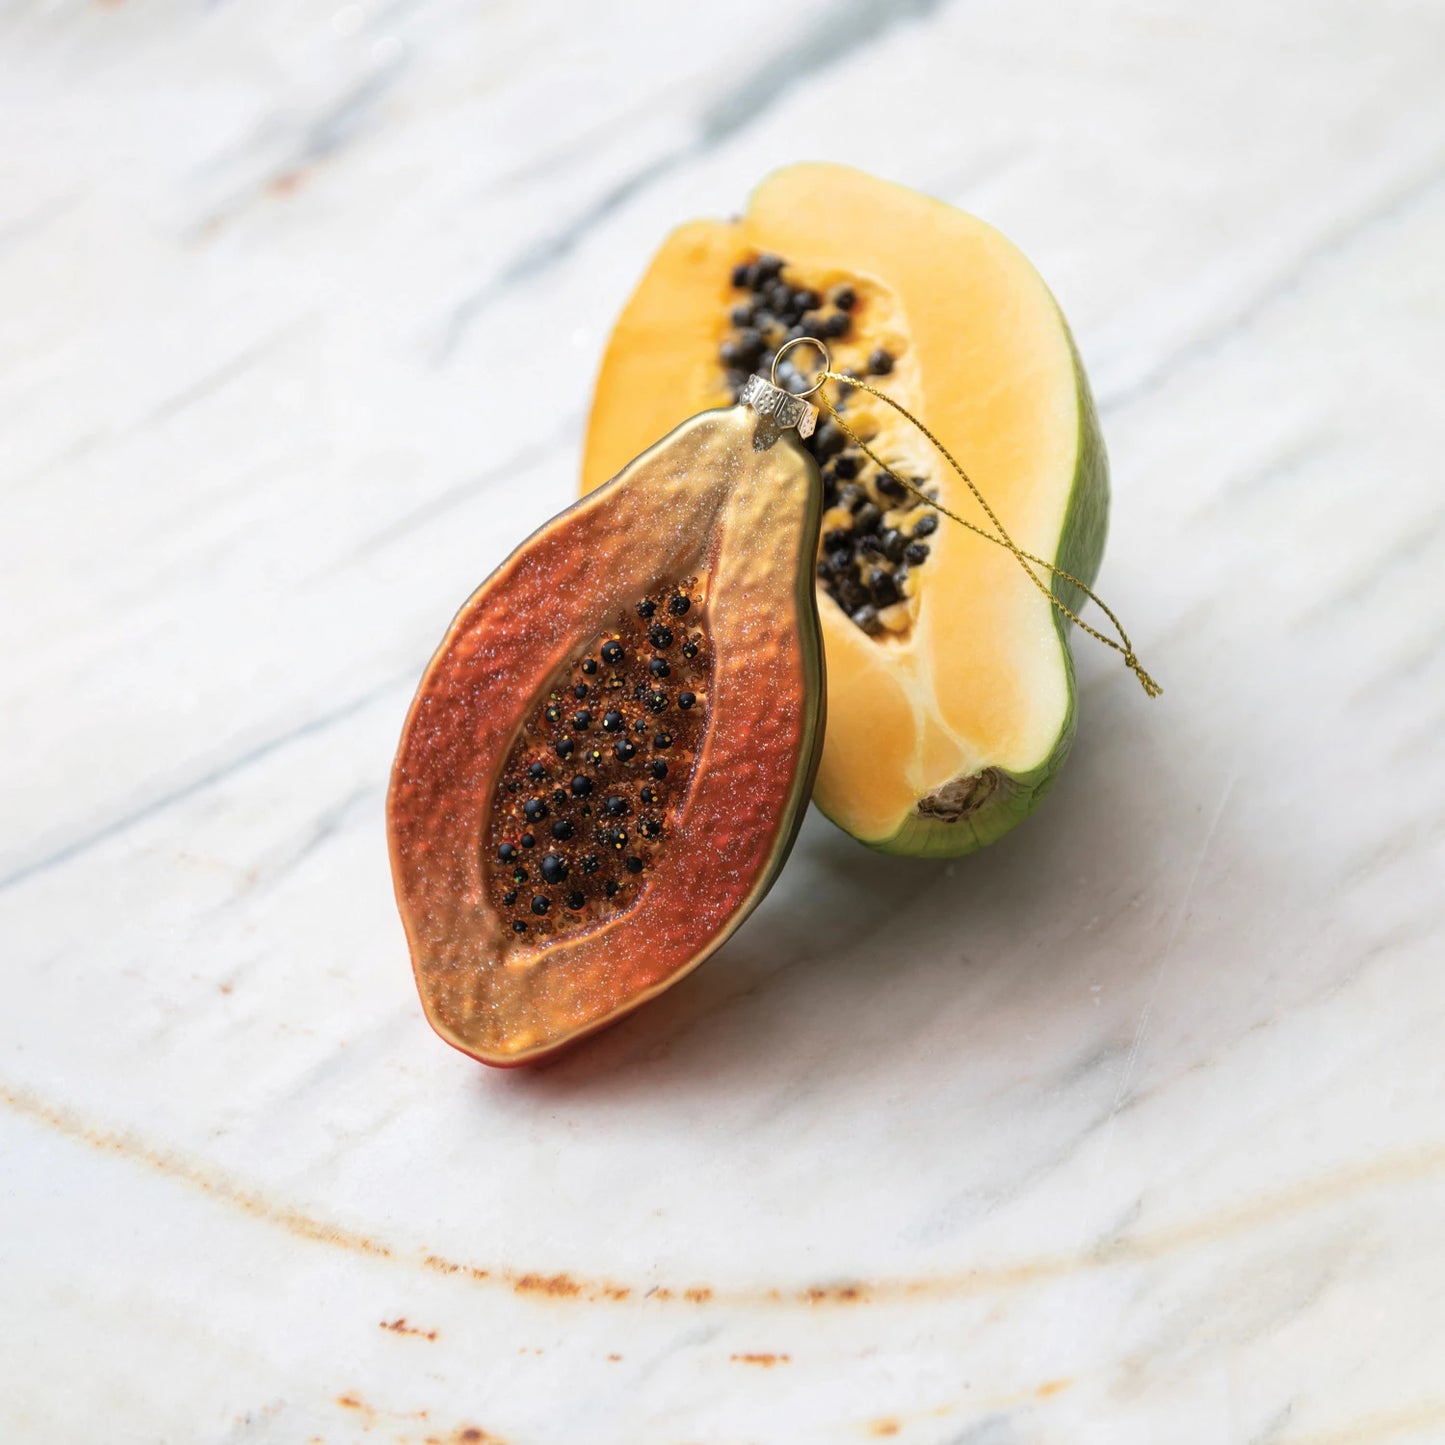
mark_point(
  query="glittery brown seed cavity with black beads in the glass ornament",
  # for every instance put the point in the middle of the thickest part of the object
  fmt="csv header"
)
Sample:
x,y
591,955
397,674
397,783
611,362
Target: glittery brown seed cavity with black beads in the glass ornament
x,y
599,772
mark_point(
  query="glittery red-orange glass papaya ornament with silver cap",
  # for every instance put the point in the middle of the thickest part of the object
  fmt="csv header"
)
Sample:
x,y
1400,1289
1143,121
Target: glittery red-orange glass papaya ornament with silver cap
x,y
609,758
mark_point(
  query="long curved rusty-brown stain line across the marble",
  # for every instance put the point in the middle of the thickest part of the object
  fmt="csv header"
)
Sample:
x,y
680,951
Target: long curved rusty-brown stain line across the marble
x,y
1229,1223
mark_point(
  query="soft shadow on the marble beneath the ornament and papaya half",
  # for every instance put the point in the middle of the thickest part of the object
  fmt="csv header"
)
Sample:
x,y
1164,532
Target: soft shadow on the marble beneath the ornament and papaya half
x,y
855,954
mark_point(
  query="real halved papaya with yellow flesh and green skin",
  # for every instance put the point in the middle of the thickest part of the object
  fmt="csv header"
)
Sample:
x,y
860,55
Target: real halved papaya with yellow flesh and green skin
x,y
950,683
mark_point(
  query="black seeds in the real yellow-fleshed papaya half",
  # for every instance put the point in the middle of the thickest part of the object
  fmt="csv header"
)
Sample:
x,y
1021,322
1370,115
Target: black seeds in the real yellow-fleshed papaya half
x,y
874,527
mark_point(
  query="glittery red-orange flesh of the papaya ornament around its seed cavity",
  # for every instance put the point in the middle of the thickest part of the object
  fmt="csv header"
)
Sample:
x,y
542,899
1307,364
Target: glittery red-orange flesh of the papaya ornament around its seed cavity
x,y
700,505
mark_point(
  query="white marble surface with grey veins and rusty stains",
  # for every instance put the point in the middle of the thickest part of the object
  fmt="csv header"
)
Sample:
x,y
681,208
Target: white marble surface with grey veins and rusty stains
x,y
1131,1131
